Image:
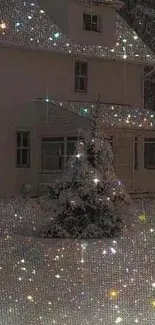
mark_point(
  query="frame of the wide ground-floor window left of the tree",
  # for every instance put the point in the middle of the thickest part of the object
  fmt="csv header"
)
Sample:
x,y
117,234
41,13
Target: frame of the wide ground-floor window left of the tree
x,y
65,156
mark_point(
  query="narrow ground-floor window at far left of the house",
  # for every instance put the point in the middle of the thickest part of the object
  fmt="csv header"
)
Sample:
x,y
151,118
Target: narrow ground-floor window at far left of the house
x,y
23,149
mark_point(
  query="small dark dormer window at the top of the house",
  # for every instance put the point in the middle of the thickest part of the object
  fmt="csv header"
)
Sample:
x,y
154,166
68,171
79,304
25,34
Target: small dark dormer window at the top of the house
x,y
91,22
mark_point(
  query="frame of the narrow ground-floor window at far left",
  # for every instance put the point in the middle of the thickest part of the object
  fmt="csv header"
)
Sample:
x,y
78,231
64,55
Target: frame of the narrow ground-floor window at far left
x,y
22,147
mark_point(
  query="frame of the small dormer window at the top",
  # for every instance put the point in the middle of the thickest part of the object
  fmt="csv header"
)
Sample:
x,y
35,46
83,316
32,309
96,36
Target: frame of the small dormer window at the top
x,y
97,23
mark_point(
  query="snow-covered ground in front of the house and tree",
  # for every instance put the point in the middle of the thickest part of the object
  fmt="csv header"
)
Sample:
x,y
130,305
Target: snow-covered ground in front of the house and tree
x,y
46,282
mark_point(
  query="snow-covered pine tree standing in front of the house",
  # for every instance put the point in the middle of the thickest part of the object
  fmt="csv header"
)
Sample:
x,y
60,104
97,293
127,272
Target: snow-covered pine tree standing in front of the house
x,y
89,191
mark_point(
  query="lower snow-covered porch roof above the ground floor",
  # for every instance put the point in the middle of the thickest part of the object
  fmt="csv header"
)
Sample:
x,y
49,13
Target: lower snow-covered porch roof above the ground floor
x,y
116,116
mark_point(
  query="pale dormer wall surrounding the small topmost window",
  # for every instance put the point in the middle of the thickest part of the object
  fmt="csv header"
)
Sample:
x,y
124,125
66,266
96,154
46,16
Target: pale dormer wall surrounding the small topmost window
x,y
107,36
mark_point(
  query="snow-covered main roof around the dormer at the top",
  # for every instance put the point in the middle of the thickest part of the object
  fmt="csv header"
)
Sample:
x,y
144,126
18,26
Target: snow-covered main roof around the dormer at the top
x,y
24,23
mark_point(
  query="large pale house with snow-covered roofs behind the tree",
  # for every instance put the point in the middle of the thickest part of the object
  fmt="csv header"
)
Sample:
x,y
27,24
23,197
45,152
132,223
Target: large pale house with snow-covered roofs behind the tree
x,y
56,58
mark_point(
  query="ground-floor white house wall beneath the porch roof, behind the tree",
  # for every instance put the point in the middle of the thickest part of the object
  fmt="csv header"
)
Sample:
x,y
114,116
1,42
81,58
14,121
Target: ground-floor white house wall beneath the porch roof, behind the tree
x,y
33,117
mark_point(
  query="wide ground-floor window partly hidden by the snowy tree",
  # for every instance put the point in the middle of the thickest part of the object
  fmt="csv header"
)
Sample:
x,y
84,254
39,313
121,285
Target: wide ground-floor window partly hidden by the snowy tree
x,y
56,152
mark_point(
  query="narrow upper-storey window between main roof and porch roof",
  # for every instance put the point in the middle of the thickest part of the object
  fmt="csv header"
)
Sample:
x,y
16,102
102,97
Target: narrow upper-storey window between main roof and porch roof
x,y
81,76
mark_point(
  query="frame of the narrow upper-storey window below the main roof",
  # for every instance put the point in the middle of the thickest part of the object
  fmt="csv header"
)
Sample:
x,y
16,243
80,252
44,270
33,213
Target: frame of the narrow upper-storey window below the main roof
x,y
80,77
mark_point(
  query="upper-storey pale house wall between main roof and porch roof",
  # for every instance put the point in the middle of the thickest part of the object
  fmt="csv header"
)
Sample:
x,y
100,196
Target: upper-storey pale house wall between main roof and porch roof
x,y
25,75
